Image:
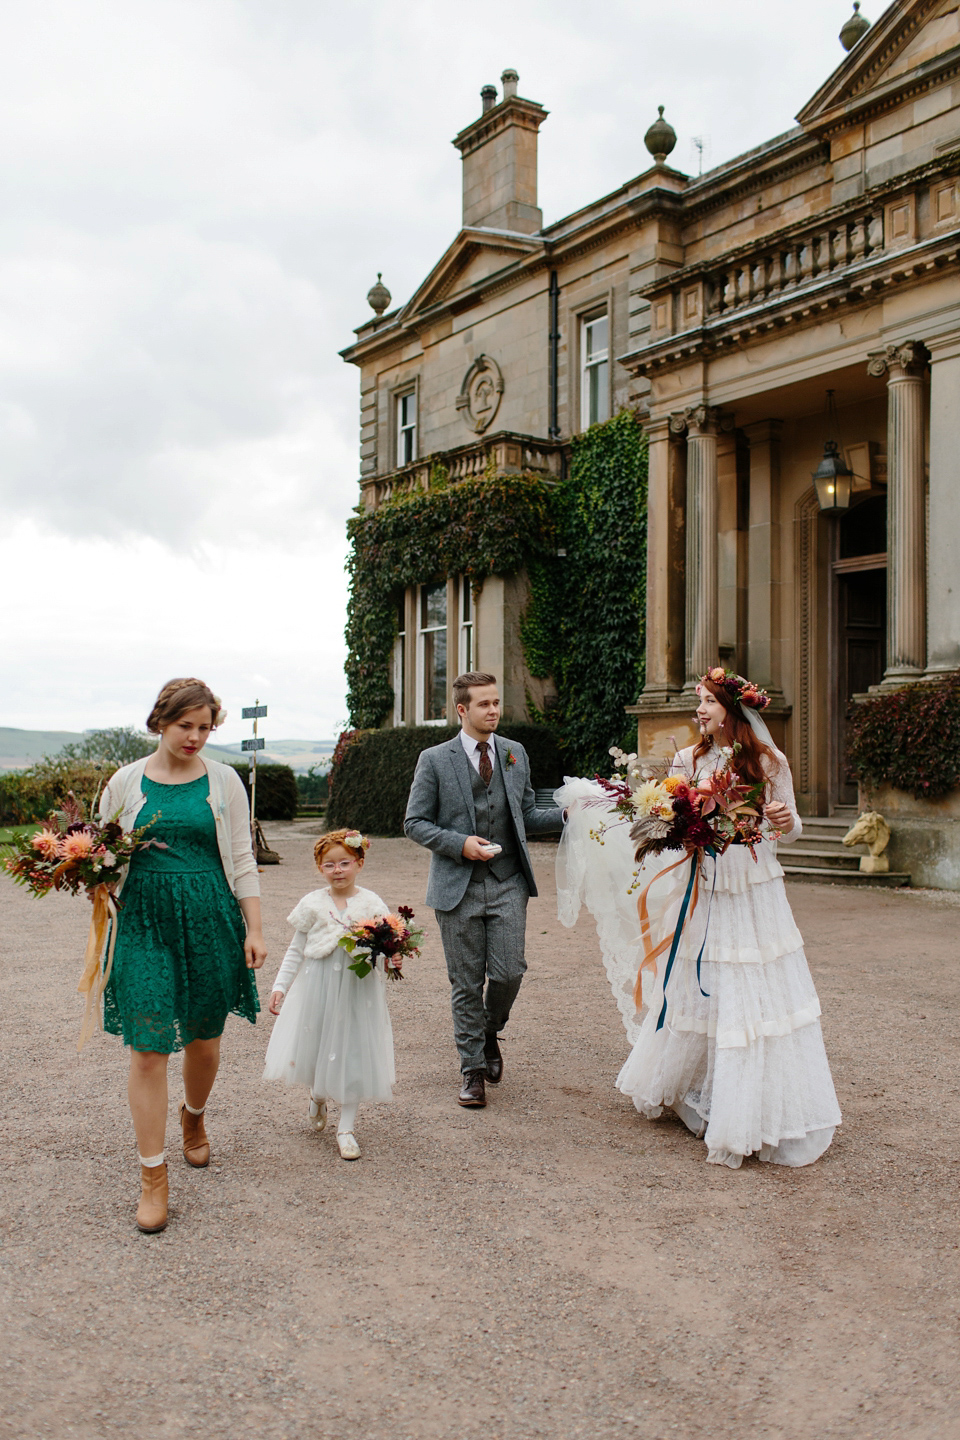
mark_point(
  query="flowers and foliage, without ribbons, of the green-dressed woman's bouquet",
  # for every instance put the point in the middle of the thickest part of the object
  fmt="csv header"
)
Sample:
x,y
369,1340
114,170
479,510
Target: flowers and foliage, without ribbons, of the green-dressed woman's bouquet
x,y
74,853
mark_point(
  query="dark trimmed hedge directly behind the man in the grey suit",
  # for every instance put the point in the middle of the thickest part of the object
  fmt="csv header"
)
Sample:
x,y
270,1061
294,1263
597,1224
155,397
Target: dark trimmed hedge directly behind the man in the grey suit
x,y
373,771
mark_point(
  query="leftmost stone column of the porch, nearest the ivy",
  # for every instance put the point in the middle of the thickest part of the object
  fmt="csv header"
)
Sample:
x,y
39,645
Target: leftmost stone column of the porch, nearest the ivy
x,y
664,565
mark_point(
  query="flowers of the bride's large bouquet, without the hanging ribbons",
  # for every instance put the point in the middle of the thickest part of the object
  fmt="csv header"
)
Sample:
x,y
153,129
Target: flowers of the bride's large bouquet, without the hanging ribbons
x,y
677,813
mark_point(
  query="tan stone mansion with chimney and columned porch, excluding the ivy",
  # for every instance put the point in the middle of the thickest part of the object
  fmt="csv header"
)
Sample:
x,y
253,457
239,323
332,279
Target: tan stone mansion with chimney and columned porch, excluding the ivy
x,y
725,309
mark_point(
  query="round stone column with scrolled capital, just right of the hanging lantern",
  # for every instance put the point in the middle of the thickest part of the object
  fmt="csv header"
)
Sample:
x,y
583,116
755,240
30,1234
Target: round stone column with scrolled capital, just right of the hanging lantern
x,y
906,510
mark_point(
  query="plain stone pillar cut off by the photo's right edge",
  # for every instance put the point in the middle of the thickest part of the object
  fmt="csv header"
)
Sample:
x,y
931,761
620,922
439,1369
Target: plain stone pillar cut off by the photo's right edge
x,y
943,631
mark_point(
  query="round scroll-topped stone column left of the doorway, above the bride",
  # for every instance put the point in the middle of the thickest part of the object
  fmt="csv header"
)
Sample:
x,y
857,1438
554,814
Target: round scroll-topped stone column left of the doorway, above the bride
x,y
702,424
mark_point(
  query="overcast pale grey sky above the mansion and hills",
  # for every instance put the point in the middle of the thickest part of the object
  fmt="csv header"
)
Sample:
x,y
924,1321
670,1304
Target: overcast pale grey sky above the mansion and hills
x,y
196,197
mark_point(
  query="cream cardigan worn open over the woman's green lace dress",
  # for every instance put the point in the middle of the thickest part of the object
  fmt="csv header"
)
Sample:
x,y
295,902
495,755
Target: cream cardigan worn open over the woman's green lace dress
x,y
123,801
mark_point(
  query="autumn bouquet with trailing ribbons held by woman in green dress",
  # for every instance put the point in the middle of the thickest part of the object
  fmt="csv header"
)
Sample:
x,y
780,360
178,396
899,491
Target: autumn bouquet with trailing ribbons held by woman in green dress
x,y
74,852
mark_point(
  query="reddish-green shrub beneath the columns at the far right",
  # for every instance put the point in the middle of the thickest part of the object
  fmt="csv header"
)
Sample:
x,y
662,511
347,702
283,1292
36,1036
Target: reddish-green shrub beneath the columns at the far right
x,y
909,739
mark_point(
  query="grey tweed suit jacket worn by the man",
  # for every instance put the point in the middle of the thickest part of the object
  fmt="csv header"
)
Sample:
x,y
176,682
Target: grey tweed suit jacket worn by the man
x,y
441,814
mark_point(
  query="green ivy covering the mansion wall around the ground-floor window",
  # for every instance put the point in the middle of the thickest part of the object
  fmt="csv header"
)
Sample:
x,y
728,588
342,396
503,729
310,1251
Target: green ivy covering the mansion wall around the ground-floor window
x,y
585,623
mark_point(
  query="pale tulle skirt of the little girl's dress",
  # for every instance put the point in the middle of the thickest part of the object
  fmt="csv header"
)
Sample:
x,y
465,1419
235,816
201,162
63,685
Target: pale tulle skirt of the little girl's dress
x,y
333,1035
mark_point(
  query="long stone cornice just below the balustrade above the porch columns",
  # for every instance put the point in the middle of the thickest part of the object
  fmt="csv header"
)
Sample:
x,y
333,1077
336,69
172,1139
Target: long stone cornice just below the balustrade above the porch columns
x,y
801,305
